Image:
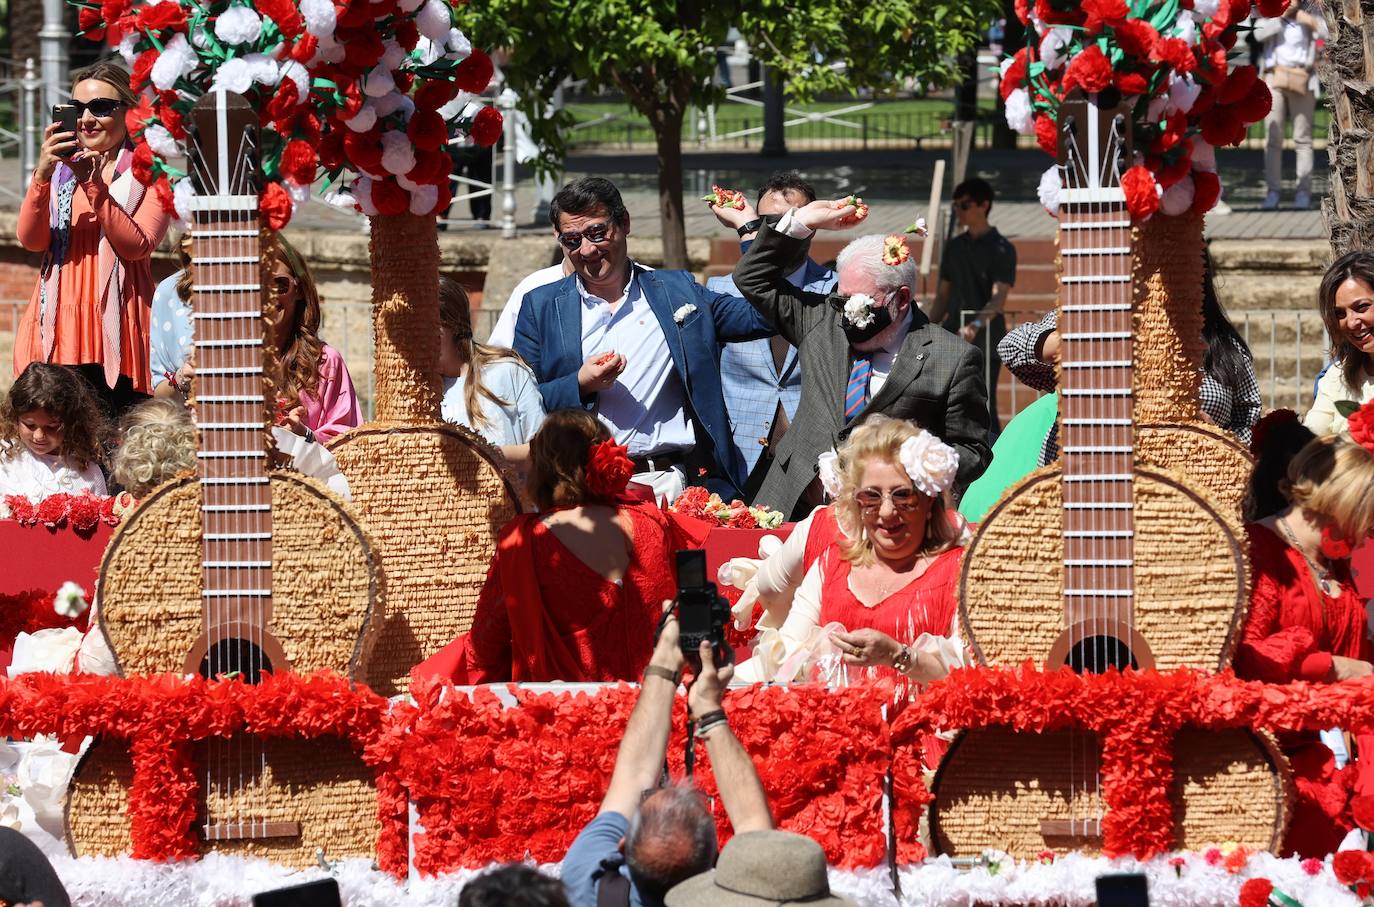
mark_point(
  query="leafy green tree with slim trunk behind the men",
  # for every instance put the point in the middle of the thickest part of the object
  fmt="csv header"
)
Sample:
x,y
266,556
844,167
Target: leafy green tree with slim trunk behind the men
x,y
662,54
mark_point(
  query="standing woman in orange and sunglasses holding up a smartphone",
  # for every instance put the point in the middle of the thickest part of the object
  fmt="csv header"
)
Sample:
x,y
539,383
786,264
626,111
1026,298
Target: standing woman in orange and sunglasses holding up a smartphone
x,y
98,229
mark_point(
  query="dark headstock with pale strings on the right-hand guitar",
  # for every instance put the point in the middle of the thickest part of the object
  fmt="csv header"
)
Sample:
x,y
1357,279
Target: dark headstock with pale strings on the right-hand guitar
x,y
1094,139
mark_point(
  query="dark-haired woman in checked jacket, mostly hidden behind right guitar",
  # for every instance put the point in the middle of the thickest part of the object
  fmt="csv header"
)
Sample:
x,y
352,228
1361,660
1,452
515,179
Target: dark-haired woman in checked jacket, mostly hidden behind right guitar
x,y
1229,395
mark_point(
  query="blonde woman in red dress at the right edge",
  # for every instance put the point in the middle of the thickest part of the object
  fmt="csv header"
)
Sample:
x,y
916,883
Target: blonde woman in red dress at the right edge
x,y
1306,620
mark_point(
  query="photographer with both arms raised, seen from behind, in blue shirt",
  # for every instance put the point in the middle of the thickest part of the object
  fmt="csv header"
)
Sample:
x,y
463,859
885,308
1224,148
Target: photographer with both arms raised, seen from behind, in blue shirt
x,y
649,838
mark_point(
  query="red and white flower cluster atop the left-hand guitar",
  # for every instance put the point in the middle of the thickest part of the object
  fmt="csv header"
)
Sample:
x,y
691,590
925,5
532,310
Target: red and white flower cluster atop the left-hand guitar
x,y
354,86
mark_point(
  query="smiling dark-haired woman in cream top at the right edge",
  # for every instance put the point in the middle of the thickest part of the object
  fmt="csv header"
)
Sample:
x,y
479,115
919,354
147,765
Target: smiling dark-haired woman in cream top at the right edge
x,y
1346,300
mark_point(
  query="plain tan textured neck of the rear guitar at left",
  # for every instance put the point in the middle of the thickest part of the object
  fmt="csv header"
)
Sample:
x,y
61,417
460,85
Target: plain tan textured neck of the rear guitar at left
x,y
406,262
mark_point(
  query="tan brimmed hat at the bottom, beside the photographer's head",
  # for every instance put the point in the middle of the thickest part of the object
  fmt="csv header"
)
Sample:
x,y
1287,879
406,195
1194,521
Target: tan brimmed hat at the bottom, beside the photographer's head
x,y
762,868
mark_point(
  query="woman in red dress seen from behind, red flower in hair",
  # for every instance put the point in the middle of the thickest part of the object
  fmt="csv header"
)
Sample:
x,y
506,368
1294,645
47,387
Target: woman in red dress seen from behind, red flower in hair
x,y
576,590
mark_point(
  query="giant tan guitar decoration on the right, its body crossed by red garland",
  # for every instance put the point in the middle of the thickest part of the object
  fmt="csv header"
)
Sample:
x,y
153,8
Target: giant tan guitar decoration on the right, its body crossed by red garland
x,y
1126,555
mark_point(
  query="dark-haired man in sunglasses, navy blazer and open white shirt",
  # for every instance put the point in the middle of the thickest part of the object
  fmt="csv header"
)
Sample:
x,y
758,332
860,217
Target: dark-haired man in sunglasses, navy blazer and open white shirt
x,y
638,348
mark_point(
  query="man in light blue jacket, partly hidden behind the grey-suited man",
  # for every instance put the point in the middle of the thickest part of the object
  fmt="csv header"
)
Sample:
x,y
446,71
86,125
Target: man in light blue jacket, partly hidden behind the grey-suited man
x,y
762,380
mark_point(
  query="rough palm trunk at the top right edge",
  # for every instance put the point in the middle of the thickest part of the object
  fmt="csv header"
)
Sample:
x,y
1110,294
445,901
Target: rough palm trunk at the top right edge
x,y
1349,79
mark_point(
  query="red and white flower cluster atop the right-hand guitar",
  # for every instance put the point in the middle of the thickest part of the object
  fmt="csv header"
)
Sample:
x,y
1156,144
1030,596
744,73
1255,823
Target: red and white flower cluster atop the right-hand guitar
x,y
1169,60
